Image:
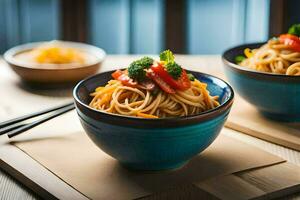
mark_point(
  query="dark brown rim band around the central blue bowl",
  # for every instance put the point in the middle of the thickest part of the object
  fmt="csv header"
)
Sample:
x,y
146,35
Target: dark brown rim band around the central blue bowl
x,y
131,121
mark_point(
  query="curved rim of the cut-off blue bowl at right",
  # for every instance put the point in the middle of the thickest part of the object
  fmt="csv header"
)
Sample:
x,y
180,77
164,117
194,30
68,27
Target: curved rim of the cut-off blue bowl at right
x,y
252,71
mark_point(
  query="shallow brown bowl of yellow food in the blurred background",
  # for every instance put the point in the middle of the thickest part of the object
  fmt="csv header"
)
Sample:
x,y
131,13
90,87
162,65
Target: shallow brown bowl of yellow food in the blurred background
x,y
54,62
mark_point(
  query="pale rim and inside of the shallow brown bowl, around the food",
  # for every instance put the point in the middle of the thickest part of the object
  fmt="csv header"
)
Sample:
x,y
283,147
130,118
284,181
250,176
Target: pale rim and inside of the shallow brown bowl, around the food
x,y
8,56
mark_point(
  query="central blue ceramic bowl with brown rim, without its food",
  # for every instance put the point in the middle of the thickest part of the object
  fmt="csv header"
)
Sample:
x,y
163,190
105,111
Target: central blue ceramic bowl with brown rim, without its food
x,y
152,144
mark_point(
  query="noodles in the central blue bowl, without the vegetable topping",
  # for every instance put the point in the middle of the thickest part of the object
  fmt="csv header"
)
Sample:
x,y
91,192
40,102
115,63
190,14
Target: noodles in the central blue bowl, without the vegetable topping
x,y
119,99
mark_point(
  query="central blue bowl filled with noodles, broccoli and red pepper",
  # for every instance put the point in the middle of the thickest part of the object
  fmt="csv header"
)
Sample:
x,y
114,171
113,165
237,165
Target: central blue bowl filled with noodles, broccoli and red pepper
x,y
153,115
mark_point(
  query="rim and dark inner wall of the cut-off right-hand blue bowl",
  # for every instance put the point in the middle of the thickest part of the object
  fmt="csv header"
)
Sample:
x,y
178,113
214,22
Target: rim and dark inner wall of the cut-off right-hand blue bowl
x,y
228,59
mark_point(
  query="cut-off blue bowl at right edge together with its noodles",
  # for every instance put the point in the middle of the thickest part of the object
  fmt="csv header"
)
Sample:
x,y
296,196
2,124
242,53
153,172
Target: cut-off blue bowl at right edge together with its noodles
x,y
267,75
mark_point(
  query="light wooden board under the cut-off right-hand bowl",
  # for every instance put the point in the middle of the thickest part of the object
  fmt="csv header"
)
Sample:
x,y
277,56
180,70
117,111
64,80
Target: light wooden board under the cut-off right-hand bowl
x,y
246,119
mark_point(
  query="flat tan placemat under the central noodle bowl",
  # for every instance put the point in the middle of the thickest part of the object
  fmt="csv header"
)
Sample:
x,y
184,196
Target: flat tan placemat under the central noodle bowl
x,y
79,163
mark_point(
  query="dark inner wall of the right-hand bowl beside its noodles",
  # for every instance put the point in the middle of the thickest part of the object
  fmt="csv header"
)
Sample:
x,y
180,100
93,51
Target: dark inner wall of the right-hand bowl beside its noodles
x,y
231,53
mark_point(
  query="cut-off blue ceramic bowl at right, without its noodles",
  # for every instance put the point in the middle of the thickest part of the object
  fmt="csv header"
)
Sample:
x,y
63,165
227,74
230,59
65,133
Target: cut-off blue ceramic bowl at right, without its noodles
x,y
276,96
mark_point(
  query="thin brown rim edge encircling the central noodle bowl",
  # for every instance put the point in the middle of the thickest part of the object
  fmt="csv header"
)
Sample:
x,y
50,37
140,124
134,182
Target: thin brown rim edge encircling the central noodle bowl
x,y
203,115
